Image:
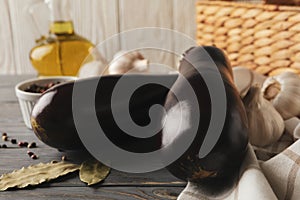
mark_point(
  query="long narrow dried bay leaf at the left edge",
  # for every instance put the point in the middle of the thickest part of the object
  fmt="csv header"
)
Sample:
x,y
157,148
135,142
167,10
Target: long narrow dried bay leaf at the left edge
x,y
36,174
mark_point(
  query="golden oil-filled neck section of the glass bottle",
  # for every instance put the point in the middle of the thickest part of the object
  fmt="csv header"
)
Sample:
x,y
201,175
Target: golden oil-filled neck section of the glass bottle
x,y
61,27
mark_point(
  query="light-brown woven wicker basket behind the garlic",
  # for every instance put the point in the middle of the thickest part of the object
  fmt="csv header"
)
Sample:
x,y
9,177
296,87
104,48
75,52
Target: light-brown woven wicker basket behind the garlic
x,y
265,38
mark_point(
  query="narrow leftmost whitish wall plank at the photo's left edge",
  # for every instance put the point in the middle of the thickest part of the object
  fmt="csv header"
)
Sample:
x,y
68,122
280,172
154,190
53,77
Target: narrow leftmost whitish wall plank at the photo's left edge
x,y
7,64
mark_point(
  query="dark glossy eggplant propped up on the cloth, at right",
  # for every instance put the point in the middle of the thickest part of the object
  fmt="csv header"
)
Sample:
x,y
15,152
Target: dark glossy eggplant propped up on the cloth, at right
x,y
226,156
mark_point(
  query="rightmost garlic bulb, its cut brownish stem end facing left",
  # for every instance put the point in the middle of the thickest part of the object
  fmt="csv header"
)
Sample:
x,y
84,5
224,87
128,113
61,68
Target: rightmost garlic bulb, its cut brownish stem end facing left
x,y
284,92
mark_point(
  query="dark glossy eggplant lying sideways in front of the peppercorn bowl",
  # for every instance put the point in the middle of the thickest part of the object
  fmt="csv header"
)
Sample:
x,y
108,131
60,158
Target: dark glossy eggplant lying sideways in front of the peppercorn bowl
x,y
53,123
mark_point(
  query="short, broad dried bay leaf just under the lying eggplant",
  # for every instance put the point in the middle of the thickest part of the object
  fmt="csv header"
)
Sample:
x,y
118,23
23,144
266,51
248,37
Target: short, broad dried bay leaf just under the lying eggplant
x,y
92,171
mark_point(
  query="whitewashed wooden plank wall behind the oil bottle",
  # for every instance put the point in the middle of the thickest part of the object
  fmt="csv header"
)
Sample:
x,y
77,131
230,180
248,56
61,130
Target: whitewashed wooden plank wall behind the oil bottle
x,y
96,20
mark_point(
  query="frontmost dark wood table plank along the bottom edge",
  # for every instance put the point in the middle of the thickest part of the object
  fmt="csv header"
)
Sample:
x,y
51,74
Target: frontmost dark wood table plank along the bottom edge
x,y
107,193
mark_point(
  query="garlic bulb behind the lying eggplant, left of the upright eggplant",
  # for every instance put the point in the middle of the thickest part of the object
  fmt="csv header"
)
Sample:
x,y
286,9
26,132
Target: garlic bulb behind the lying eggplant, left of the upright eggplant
x,y
128,62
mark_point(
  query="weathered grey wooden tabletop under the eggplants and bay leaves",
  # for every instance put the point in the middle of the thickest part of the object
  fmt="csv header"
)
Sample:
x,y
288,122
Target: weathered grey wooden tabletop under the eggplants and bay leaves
x,y
118,185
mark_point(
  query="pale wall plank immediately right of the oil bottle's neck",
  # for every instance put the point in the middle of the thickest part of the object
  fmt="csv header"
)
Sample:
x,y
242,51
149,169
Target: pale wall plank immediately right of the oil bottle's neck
x,y
98,21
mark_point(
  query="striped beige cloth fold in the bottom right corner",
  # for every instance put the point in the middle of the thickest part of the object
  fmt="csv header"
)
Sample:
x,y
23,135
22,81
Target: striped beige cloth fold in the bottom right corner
x,y
283,172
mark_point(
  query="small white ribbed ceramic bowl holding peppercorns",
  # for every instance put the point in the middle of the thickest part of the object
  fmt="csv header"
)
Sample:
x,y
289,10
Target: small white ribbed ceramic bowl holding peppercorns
x,y
28,99
